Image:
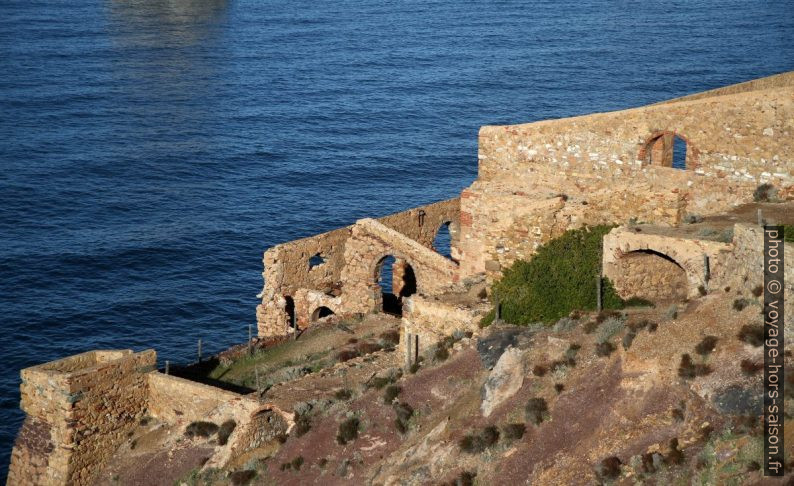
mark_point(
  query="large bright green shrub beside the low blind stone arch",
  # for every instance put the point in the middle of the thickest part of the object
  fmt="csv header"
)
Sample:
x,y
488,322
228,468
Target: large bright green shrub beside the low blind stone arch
x,y
560,278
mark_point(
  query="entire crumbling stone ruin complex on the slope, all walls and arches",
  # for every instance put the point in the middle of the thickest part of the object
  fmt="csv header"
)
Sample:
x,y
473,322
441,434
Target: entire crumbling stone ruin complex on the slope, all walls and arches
x,y
703,154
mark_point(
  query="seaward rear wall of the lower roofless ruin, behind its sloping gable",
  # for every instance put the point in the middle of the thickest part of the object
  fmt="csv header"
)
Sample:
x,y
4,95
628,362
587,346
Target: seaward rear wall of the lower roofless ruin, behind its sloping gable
x,y
287,273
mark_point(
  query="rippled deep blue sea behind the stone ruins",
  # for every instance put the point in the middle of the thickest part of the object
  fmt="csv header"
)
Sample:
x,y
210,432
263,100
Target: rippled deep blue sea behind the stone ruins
x,y
151,150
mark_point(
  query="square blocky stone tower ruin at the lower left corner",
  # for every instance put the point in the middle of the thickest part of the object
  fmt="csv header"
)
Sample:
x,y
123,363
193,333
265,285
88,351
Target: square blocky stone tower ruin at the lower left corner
x,y
79,410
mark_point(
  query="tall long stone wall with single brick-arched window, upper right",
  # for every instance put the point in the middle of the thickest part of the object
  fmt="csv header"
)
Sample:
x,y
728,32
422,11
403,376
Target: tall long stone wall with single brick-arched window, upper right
x,y
538,180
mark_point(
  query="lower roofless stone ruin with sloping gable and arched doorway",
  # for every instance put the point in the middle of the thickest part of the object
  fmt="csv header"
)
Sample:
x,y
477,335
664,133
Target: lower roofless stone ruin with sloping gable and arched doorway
x,y
346,283
